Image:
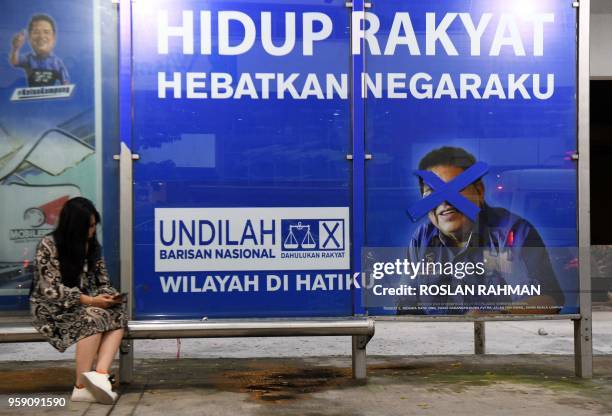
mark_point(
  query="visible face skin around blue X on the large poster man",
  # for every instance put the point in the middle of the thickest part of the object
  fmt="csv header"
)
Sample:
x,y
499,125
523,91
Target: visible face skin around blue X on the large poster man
x,y
446,218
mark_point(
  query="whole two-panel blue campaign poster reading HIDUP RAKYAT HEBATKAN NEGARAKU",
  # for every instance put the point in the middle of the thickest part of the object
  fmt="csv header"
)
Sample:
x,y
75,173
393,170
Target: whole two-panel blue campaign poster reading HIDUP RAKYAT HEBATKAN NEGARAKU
x,y
243,121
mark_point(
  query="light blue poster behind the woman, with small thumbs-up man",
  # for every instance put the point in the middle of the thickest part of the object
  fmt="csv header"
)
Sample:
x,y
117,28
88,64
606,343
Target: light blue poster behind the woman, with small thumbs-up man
x,y
47,128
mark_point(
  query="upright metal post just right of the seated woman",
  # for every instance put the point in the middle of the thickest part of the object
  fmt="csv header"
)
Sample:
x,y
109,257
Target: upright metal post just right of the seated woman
x,y
126,204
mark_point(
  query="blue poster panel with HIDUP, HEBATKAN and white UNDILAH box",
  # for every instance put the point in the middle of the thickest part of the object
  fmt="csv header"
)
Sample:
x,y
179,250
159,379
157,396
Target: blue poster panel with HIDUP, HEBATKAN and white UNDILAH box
x,y
242,189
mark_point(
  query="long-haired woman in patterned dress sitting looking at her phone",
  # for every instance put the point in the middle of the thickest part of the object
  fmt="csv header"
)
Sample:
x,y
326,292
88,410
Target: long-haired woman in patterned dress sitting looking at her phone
x,y
72,300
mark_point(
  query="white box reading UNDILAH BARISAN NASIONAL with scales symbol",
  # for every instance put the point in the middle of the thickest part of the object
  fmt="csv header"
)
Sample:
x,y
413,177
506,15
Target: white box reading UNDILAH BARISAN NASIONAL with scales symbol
x,y
243,239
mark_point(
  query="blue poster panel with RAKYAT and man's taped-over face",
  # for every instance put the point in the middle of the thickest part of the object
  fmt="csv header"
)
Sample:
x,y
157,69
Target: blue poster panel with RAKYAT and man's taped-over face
x,y
471,190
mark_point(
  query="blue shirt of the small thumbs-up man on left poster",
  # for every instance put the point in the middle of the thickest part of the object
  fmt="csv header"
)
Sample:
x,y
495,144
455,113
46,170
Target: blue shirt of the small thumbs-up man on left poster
x,y
43,71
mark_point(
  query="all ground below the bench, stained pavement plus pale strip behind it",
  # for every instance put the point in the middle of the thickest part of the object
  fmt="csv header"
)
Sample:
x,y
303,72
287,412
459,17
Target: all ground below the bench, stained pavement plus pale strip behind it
x,y
413,368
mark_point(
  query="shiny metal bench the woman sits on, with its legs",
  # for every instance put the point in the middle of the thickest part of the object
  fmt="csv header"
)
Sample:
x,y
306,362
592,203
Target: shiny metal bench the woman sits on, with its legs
x,y
360,329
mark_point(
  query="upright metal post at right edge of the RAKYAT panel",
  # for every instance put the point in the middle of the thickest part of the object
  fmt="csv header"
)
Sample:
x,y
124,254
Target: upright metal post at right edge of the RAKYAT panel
x,y
583,340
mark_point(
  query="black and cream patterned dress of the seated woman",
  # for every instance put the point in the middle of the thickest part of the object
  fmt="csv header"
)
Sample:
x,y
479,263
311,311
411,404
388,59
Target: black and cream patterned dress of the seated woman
x,y
57,311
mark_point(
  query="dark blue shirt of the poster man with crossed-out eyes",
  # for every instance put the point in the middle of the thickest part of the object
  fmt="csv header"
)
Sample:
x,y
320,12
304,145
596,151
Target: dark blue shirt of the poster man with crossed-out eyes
x,y
510,250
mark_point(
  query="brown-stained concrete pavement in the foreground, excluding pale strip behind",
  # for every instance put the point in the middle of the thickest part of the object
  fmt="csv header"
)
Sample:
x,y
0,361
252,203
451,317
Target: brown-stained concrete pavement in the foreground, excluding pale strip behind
x,y
322,386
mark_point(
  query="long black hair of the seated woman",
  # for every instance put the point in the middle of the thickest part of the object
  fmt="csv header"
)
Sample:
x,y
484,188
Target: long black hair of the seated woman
x,y
71,239
